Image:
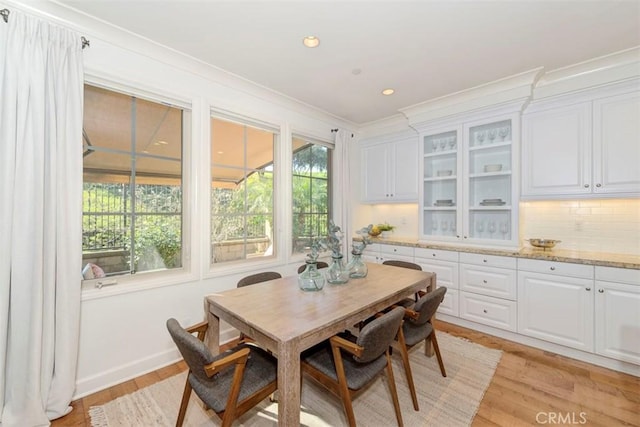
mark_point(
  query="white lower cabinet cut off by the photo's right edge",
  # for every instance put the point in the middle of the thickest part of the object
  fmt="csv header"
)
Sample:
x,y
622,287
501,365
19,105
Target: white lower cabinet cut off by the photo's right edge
x,y
617,313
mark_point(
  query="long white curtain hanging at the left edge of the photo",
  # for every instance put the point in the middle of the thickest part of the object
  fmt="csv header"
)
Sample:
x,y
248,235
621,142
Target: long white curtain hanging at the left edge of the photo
x,y
41,96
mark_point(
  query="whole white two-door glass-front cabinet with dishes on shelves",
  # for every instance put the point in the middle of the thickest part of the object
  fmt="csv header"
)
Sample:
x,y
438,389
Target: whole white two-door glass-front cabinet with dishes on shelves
x,y
468,188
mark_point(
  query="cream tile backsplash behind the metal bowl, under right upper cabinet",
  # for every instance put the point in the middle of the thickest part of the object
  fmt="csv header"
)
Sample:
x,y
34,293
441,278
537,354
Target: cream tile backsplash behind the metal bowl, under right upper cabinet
x,y
601,225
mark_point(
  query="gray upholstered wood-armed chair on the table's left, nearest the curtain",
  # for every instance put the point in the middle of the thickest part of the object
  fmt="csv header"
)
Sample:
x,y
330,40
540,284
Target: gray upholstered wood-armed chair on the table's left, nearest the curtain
x,y
230,383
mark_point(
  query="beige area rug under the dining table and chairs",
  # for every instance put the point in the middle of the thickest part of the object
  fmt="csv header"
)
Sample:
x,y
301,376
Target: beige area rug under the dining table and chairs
x,y
450,401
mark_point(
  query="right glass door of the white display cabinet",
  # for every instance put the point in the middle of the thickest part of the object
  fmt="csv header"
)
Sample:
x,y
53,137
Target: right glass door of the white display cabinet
x,y
488,184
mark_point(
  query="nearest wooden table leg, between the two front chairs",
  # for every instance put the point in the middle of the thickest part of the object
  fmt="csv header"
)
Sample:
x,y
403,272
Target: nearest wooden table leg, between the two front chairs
x,y
288,385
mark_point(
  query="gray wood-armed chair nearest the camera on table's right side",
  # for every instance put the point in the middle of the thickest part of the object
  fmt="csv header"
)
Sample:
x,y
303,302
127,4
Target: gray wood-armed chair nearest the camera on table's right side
x,y
361,363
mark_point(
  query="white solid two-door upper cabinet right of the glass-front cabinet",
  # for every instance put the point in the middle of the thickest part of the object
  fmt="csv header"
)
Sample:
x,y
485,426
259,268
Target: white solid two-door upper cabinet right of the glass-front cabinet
x,y
587,145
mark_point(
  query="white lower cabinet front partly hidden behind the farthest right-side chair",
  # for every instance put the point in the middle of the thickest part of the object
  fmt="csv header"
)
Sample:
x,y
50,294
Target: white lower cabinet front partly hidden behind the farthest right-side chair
x,y
445,265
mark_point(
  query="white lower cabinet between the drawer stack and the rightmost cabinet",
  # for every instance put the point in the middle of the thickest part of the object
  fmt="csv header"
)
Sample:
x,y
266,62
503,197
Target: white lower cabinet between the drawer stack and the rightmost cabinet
x,y
556,307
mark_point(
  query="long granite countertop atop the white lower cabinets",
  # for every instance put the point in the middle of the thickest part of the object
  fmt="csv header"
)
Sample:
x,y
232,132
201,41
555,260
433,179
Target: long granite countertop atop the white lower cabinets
x,y
555,254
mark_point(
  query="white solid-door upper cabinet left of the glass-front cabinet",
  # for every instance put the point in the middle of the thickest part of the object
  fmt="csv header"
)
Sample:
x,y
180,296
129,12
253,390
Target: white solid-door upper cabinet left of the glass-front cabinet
x,y
390,169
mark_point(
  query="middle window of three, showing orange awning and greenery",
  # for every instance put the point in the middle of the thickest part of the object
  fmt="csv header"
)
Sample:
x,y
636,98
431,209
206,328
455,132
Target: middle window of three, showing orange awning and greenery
x,y
242,183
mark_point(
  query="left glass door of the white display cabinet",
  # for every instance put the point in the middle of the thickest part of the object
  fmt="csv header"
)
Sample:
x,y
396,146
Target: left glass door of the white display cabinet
x,y
440,189
